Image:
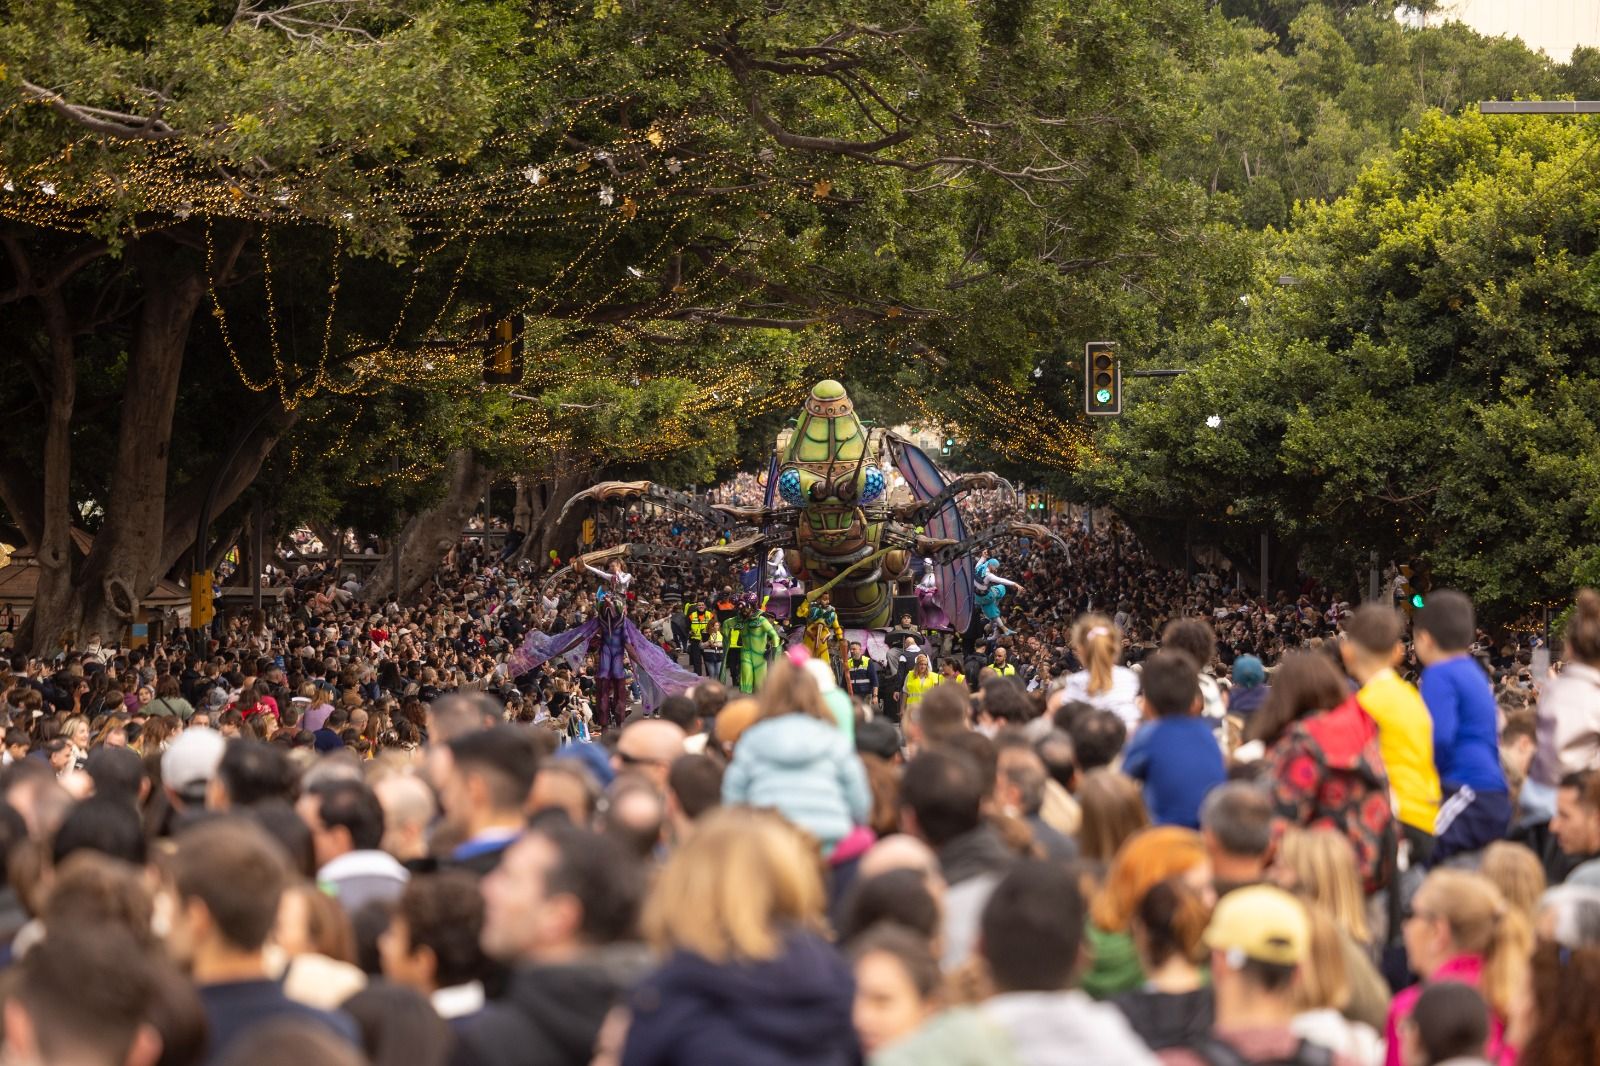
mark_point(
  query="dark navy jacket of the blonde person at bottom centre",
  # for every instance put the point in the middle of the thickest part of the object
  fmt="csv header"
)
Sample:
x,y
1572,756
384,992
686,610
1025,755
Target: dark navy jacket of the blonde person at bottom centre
x,y
793,1011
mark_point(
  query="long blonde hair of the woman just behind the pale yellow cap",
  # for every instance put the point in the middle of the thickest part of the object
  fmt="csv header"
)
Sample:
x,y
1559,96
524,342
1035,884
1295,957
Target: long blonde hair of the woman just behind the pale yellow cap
x,y
1319,867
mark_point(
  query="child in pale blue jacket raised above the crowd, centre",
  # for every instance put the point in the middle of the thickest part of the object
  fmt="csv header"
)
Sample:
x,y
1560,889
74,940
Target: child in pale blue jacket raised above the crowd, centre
x,y
796,759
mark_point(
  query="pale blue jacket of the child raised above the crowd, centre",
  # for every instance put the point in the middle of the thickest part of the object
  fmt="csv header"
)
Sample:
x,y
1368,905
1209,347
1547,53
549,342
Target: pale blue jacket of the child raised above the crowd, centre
x,y
804,769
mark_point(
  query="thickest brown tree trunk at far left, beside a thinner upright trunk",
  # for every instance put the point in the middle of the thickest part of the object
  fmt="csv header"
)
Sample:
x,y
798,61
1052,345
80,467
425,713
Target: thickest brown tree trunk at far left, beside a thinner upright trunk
x,y
126,563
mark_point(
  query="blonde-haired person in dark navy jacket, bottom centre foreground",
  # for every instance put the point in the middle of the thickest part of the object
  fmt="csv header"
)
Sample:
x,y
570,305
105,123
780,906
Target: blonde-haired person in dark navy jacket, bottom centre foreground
x,y
748,976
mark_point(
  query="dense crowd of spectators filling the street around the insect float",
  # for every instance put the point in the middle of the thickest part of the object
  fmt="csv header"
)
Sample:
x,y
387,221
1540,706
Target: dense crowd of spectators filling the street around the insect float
x,y
1156,820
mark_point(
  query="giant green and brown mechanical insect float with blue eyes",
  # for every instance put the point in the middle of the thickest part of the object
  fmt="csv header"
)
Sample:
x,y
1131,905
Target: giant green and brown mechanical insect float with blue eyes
x,y
830,516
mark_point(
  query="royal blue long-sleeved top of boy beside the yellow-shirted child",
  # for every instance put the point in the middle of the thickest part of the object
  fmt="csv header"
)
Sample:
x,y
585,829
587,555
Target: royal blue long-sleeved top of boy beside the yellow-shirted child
x,y
1466,726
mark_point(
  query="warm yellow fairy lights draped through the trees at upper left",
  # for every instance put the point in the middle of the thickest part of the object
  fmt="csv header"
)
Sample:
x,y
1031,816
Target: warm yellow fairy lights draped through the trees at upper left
x,y
593,196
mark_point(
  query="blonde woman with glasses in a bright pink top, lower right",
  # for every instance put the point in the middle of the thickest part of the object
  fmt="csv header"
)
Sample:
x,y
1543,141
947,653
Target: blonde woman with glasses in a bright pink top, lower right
x,y
1462,929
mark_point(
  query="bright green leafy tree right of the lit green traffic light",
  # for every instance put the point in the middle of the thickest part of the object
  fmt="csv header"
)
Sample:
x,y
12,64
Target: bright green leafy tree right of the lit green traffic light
x,y
1430,385
